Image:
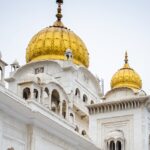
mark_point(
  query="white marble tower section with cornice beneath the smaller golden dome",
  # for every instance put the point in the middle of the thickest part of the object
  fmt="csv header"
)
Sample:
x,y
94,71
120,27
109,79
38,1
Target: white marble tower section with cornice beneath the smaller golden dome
x,y
122,122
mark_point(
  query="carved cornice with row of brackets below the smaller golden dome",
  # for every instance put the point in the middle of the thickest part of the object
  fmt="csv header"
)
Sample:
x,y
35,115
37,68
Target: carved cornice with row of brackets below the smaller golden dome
x,y
125,104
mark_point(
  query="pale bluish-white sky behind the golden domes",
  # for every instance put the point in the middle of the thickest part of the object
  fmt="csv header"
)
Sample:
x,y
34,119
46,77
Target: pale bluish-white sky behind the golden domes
x,y
108,28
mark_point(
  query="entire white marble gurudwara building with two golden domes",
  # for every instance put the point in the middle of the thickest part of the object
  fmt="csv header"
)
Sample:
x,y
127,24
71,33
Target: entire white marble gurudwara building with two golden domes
x,y
54,102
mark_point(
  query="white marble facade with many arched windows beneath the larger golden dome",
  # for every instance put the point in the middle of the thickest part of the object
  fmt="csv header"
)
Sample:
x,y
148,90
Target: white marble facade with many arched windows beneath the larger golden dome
x,y
45,107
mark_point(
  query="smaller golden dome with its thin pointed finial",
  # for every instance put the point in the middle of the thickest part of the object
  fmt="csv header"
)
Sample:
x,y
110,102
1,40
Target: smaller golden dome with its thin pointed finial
x,y
126,77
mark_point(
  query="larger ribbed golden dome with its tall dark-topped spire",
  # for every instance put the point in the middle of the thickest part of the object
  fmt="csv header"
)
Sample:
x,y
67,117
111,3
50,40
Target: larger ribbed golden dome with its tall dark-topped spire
x,y
52,42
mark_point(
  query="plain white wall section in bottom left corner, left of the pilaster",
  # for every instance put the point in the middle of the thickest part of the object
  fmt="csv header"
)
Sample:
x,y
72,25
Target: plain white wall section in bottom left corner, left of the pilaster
x,y
13,133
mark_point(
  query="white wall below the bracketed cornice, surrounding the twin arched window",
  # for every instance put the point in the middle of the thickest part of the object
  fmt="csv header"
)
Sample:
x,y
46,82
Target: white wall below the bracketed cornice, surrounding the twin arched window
x,y
131,122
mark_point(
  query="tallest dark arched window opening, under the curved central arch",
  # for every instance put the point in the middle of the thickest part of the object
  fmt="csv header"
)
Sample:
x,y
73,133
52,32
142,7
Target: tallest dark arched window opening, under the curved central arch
x,y
55,99
